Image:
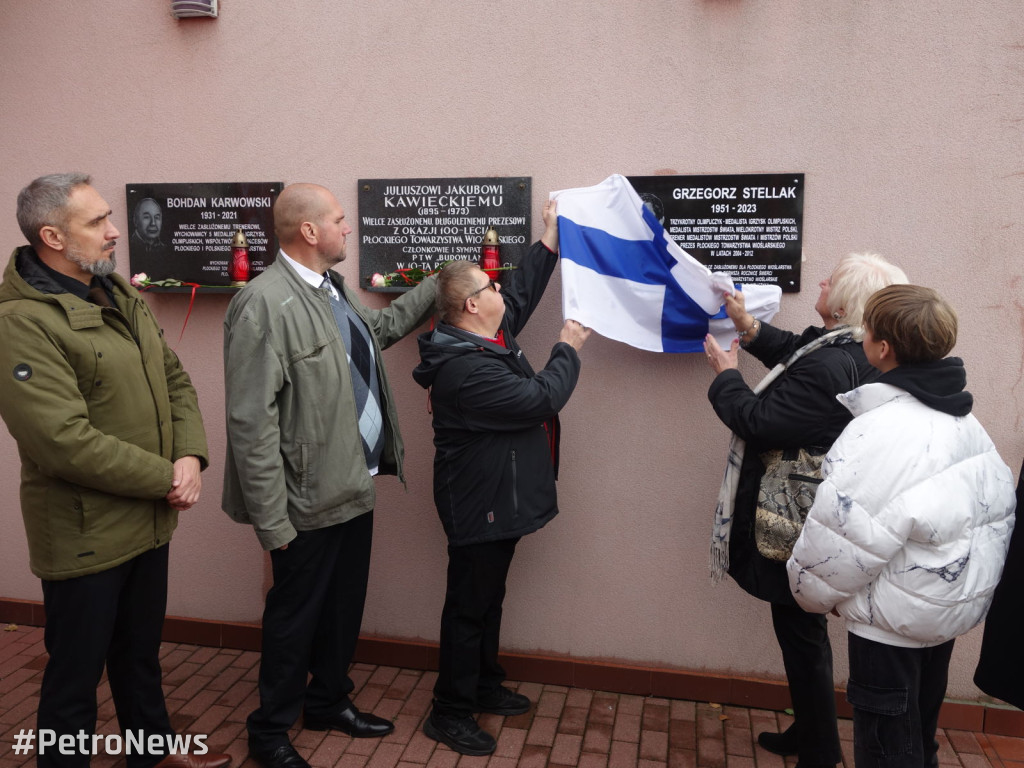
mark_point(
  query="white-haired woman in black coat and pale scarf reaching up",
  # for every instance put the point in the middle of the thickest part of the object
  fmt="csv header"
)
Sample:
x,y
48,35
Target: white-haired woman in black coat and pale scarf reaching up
x,y
795,407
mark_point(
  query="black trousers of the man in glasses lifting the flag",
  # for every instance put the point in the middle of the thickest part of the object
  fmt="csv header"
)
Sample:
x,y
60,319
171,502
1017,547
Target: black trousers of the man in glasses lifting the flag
x,y
472,623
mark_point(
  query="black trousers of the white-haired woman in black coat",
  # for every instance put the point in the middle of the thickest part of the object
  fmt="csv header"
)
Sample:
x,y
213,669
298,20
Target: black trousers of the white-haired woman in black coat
x,y
807,657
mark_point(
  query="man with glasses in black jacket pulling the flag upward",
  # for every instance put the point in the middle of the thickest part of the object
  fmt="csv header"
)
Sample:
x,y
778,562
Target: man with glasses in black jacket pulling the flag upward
x,y
496,435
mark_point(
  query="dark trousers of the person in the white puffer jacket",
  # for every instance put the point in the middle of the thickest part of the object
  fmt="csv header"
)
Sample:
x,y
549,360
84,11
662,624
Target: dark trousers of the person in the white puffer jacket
x,y
897,696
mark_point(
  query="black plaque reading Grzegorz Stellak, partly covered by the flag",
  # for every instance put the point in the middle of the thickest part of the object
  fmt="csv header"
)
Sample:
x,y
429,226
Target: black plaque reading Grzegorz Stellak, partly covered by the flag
x,y
750,226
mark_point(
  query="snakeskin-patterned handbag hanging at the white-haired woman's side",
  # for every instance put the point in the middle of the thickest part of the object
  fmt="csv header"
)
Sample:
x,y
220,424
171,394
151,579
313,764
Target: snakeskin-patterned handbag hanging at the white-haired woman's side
x,y
788,487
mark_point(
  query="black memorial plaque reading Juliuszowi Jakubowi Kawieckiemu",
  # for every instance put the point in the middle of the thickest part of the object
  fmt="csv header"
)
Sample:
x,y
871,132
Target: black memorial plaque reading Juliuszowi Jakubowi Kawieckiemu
x,y
421,224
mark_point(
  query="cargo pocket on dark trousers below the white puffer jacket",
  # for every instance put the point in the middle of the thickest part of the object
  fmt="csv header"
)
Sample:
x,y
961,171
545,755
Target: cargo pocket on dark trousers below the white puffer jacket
x,y
881,721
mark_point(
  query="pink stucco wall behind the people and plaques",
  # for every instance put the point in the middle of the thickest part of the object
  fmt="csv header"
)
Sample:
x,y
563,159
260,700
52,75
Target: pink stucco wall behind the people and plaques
x,y
908,123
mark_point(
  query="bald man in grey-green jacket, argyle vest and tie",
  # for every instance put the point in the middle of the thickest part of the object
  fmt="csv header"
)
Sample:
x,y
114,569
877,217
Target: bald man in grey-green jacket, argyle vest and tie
x,y
311,419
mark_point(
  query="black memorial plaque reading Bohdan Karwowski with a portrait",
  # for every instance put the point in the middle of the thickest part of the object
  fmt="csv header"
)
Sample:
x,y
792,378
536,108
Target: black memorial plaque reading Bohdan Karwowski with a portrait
x,y
184,232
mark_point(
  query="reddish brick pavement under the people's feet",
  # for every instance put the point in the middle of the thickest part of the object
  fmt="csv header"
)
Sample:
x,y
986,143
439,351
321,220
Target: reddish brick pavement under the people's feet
x,y
212,691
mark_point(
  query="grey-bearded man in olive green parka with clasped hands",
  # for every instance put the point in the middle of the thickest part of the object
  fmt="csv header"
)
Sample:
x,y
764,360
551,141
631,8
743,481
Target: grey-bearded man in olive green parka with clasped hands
x,y
112,446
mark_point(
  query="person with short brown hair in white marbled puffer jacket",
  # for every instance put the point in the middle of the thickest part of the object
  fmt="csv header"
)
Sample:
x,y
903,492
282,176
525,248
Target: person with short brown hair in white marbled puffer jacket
x,y
910,529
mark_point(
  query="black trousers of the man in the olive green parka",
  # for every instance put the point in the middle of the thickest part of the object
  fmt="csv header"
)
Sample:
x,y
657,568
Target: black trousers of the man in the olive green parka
x,y
115,618
